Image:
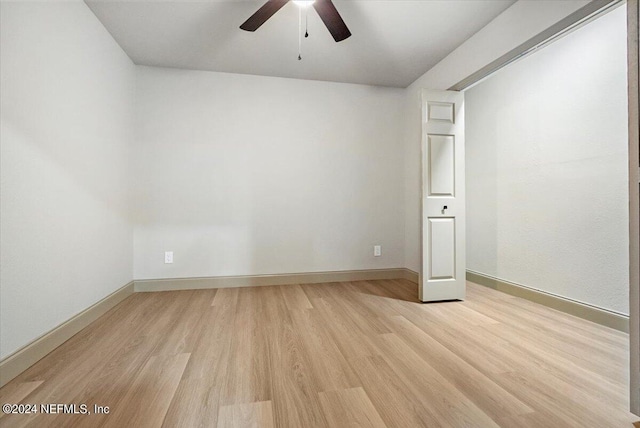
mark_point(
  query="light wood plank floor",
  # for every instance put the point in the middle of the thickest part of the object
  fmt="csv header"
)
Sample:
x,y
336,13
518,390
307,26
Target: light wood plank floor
x,y
363,354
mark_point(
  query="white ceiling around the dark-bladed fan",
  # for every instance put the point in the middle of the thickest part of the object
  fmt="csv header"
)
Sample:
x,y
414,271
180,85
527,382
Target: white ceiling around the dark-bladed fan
x,y
393,43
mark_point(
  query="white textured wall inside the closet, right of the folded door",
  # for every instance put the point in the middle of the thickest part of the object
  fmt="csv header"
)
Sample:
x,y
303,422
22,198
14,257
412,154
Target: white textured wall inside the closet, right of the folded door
x,y
547,168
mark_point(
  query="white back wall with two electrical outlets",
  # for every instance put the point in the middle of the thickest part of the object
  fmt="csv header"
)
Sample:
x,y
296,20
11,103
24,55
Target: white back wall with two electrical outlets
x,y
242,175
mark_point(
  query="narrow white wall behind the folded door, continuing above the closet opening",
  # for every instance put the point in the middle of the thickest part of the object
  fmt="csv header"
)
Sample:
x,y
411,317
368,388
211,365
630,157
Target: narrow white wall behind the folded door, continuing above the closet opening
x,y
516,25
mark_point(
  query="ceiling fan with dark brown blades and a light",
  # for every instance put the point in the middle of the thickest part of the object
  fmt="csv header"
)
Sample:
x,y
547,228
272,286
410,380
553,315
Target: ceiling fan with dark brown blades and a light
x,y
325,8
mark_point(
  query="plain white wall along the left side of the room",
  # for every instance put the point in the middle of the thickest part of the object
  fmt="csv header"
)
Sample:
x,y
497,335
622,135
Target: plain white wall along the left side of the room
x,y
65,129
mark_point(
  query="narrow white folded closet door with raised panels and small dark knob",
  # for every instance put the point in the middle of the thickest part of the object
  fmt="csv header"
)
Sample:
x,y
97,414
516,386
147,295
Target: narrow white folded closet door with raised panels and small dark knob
x,y
443,203
